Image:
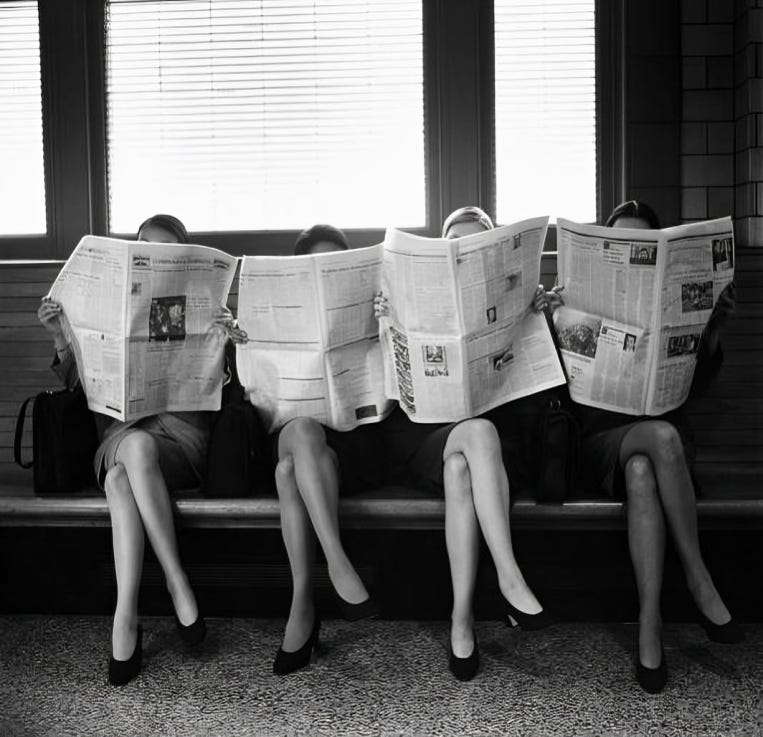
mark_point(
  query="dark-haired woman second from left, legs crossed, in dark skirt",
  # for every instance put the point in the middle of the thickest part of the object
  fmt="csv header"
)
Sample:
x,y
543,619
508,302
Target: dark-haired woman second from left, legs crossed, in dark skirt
x,y
313,464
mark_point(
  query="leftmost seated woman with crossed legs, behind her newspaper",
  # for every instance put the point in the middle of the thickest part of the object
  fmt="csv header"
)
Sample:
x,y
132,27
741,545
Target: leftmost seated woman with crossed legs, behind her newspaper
x,y
137,463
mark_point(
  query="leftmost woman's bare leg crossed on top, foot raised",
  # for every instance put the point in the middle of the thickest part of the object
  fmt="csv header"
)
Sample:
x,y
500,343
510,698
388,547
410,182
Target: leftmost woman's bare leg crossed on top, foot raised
x,y
138,454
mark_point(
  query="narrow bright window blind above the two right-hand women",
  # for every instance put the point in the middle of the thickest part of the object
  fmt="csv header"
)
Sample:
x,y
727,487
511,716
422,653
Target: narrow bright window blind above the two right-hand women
x,y
545,109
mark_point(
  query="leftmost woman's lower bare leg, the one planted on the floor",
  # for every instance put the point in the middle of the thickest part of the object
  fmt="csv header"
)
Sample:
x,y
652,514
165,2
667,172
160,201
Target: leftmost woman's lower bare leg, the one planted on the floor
x,y
128,541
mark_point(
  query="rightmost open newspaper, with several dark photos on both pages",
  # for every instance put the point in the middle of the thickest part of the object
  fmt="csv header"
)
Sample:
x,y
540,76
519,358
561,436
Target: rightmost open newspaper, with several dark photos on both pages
x,y
636,303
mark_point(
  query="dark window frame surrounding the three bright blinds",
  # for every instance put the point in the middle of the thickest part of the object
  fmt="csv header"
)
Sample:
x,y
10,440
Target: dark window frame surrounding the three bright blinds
x,y
458,123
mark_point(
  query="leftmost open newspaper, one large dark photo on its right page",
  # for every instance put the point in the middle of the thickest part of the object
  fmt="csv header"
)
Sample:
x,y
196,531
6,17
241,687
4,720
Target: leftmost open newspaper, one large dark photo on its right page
x,y
139,318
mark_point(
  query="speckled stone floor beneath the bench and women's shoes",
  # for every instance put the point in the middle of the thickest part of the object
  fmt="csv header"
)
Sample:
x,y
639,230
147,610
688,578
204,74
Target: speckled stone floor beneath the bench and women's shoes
x,y
373,678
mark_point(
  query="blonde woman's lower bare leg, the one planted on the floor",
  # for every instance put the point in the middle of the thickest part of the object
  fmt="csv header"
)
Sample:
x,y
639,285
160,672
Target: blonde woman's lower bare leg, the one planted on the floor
x,y
462,541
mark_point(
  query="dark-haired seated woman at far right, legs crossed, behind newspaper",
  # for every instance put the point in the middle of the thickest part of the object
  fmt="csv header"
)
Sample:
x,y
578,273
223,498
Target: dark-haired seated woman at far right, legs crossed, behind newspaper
x,y
647,459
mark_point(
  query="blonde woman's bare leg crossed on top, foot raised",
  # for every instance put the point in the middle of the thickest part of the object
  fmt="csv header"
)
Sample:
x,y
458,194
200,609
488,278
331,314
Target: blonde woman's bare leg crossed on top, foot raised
x,y
477,440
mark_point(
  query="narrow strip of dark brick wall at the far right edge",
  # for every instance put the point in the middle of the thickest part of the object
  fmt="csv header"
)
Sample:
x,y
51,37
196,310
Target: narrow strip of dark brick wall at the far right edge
x,y
748,116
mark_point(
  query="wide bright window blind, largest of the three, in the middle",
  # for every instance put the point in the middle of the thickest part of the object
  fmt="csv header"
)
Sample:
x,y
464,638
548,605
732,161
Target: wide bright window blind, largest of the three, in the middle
x,y
244,115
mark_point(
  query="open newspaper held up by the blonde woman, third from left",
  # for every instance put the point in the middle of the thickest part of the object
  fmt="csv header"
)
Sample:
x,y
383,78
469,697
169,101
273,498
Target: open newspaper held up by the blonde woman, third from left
x,y
460,337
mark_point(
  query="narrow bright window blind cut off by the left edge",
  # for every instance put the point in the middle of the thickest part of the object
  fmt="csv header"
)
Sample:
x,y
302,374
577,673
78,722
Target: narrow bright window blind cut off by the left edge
x,y
22,163
